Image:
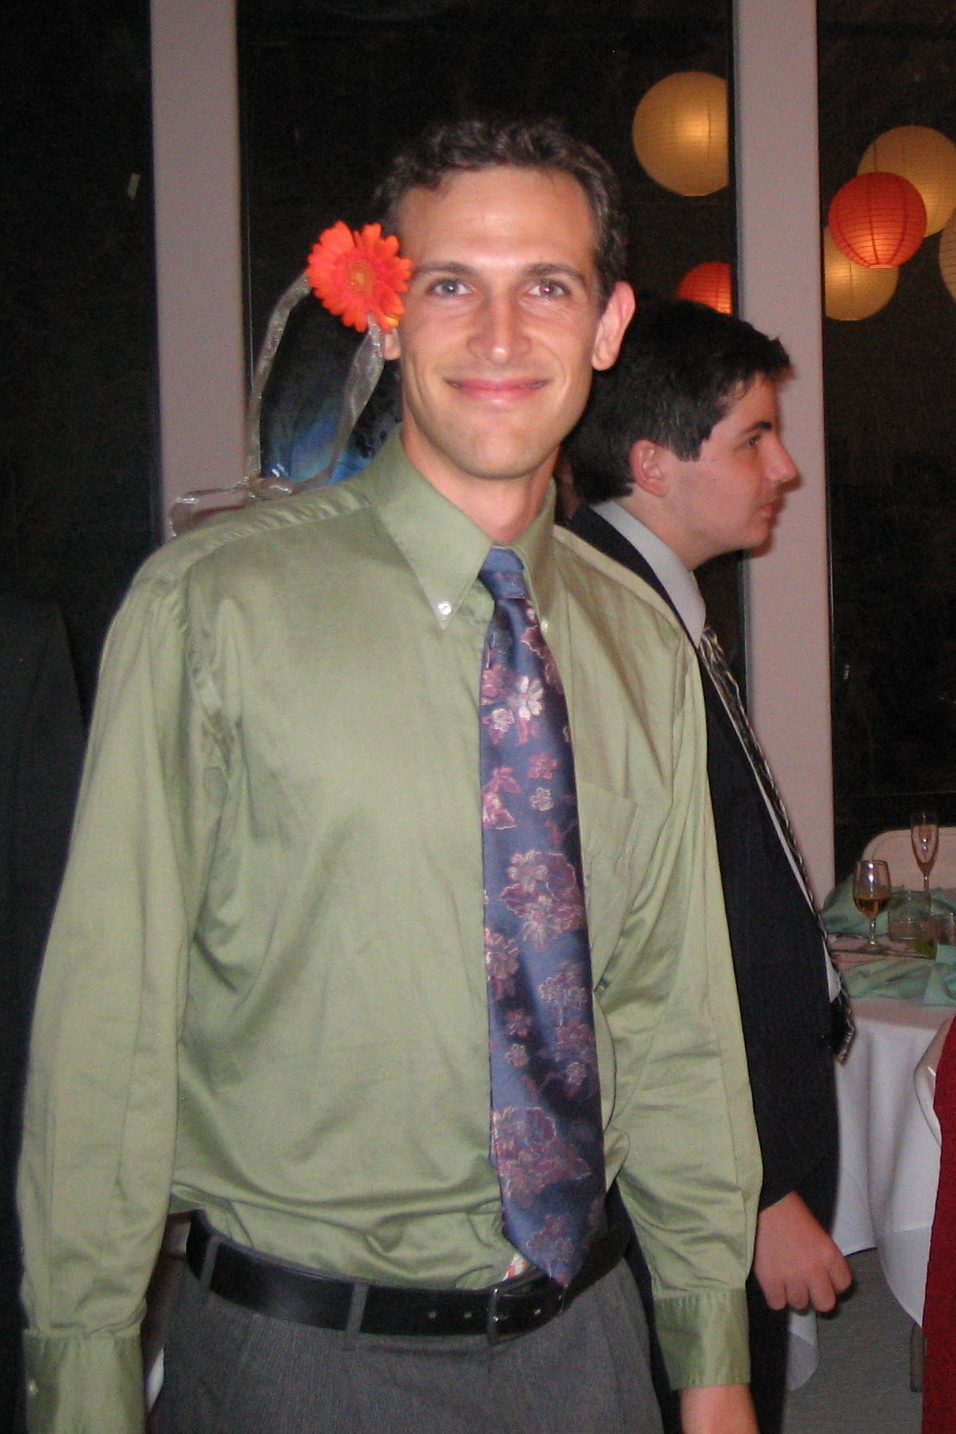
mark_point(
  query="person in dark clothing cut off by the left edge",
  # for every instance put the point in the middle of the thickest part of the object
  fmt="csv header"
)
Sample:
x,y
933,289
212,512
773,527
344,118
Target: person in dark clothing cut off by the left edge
x,y
41,754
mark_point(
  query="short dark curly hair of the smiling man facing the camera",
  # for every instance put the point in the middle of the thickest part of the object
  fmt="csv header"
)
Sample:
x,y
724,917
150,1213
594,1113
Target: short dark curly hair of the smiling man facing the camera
x,y
541,144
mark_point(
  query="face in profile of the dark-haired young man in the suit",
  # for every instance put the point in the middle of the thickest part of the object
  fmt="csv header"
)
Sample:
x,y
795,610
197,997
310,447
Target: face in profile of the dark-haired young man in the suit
x,y
726,500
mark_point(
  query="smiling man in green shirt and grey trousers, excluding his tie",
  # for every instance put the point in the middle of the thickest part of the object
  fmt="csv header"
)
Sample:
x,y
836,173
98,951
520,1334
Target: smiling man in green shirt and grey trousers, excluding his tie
x,y
266,990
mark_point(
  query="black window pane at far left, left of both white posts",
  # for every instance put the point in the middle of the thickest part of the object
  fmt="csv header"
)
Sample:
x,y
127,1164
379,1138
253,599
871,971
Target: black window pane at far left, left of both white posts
x,y
78,368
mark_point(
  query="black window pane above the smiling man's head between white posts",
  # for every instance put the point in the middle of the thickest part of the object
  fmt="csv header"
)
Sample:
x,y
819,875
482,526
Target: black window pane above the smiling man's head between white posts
x,y
332,88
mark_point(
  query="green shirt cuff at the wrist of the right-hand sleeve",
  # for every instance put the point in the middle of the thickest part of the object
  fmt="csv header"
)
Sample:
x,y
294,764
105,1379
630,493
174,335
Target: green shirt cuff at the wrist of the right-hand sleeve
x,y
704,1339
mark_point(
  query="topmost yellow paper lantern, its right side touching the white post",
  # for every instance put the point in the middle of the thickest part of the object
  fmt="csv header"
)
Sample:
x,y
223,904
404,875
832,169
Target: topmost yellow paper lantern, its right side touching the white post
x,y
680,133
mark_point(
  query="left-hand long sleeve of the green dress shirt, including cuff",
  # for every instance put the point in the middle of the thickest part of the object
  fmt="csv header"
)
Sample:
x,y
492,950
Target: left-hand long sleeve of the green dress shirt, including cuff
x,y
101,1109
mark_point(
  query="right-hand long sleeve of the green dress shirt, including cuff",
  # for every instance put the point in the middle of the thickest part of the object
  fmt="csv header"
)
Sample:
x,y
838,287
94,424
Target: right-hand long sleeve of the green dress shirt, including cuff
x,y
692,1175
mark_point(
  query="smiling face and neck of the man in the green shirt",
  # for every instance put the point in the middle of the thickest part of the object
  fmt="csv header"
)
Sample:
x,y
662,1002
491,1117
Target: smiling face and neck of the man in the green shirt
x,y
501,332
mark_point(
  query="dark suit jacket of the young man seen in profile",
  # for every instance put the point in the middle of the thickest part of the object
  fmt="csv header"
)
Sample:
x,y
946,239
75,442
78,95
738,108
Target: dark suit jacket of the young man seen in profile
x,y
778,950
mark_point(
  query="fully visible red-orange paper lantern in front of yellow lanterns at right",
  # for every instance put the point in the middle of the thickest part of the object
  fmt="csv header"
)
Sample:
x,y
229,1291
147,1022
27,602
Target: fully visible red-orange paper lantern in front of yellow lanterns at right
x,y
878,220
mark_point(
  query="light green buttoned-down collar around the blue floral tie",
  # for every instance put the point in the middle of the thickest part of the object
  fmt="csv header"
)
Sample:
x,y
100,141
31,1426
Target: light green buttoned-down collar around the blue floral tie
x,y
441,544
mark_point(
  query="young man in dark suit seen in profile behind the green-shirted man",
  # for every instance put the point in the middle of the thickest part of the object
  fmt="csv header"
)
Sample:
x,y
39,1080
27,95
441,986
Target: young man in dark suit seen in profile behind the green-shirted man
x,y
680,454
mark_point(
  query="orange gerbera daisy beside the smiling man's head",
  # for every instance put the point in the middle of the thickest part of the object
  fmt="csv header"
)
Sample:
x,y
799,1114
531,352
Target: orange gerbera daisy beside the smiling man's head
x,y
358,273
